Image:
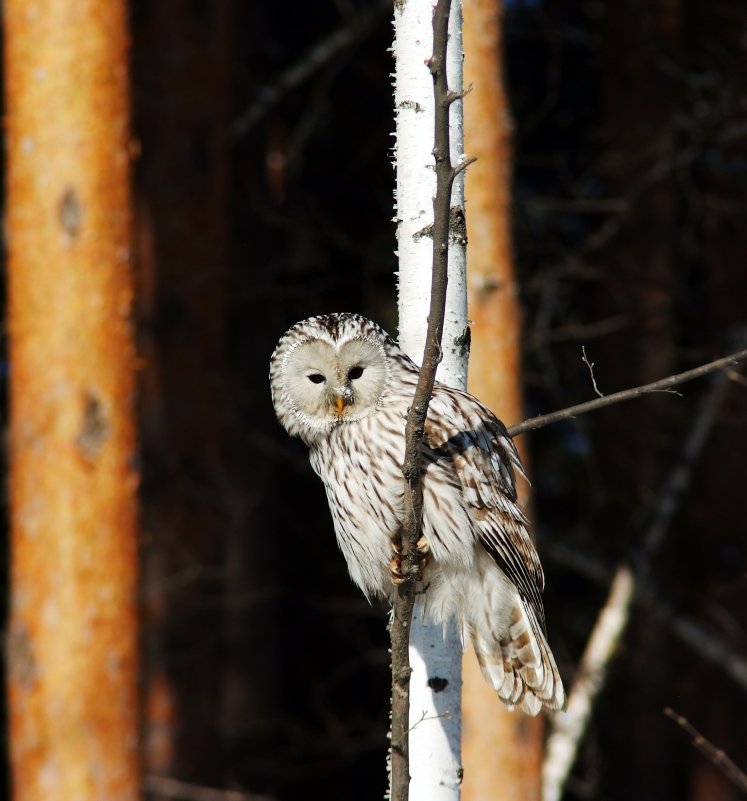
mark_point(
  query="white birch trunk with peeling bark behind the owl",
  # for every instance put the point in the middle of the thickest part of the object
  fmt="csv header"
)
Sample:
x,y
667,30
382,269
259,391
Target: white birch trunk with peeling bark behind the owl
x,y
435,654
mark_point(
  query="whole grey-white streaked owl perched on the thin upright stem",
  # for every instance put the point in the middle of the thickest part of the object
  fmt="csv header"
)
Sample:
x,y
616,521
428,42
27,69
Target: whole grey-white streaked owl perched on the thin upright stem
x,y
343,385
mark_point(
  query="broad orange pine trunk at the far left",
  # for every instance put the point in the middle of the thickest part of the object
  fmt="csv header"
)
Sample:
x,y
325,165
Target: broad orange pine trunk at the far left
x,y
73,631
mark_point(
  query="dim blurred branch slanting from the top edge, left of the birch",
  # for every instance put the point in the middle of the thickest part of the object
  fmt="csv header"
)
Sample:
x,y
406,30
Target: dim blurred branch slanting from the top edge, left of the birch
x,y
322,53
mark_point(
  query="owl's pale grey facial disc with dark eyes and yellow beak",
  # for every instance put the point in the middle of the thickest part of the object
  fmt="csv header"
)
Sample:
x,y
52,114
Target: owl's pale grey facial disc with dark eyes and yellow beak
x,y
328,383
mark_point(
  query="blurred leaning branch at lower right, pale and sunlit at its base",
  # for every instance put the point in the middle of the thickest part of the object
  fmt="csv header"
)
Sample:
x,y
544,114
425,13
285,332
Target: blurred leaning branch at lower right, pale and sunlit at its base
x,y
569,728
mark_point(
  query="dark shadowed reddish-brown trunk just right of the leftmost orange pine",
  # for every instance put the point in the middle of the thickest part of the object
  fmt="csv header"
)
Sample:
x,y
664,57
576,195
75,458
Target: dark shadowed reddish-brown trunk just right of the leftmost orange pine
x,y
181,115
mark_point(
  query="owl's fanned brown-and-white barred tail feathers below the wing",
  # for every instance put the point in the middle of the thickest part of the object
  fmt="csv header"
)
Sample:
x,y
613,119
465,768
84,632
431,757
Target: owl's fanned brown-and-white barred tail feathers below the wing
x,y
513,652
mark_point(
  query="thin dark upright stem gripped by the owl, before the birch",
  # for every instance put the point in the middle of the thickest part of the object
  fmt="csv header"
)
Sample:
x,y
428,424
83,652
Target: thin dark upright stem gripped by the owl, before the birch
x,y
404,603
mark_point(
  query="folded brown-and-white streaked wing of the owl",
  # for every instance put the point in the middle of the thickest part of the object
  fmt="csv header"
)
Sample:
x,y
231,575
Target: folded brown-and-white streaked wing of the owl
x,y
463,433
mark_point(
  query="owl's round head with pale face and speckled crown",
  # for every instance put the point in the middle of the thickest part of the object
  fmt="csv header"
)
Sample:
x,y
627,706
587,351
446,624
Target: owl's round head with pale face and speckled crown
x,y
327,371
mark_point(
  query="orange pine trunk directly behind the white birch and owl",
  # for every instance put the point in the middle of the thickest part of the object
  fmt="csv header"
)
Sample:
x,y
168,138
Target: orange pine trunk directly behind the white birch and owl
x,y
502,751
